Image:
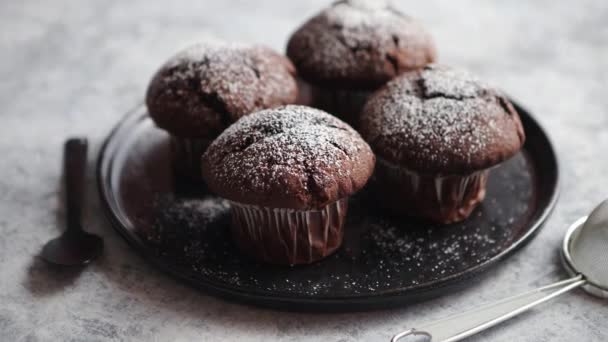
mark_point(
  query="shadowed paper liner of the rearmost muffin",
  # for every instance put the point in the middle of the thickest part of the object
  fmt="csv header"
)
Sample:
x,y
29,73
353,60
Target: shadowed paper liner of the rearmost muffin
x,y
343,103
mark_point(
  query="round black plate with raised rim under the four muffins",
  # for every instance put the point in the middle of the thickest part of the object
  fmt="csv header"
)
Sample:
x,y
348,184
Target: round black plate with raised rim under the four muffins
x,y
384,261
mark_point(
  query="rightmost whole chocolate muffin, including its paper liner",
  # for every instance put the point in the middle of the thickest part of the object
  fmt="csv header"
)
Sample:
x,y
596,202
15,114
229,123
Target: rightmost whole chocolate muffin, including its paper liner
x,y
436,133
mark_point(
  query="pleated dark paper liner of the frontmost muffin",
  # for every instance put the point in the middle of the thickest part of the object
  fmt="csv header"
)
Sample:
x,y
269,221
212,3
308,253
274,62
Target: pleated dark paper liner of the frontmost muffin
x,y
288,236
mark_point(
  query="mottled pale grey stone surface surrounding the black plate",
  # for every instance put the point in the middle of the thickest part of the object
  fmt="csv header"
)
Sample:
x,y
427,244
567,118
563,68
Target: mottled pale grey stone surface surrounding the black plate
x,y
74,67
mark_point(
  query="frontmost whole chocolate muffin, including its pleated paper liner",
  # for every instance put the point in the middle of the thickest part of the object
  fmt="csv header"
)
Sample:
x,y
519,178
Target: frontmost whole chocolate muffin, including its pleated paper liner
x,y
288,173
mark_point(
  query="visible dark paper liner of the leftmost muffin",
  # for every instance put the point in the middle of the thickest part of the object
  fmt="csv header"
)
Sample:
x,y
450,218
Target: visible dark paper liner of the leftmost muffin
x,y
186,156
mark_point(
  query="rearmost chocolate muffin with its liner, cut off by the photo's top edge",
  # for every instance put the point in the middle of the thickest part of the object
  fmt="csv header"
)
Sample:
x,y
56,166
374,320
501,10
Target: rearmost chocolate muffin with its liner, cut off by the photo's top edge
x,y
352,48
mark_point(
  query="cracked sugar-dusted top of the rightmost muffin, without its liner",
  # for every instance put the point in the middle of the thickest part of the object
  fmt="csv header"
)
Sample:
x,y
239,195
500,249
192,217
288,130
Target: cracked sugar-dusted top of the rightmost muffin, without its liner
x,y
441,120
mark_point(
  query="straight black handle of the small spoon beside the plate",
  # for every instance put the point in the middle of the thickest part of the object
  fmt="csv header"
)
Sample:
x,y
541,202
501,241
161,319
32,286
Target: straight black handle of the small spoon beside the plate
x,y
75,162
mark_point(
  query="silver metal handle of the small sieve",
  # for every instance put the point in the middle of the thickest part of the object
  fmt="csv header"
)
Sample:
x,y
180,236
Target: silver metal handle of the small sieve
x,y
463,325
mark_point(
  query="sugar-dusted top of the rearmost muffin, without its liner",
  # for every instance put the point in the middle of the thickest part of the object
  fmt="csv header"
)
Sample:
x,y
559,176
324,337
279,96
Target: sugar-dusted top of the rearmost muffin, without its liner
x,y
360,40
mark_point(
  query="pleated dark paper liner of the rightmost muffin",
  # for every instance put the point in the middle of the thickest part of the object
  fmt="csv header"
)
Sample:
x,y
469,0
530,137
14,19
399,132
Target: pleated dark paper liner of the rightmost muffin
x,y
439,198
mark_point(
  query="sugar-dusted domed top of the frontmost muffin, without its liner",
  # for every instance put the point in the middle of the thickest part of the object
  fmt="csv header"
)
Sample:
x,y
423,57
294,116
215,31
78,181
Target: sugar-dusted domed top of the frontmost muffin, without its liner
x,y
293,157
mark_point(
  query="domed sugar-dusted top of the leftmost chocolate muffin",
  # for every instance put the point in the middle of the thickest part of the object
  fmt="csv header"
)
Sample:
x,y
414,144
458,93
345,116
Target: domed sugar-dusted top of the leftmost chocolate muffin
x,y
203,89
